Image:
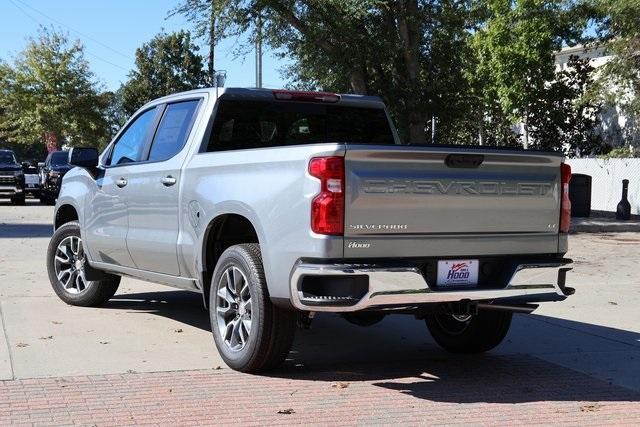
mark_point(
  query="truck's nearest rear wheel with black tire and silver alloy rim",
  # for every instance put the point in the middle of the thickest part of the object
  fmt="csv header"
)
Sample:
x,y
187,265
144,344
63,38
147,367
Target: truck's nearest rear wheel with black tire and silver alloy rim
x,y
272,328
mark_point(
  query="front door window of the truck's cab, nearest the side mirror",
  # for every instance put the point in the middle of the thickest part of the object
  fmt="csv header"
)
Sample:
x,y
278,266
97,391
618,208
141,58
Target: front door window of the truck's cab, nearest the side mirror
x,y
129,147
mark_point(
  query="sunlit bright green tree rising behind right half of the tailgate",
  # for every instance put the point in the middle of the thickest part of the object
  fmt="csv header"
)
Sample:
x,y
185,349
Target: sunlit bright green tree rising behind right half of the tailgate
x,y
514,49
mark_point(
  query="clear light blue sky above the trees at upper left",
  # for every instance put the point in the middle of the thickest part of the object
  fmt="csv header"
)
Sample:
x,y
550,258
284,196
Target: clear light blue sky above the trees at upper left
x,y
112,30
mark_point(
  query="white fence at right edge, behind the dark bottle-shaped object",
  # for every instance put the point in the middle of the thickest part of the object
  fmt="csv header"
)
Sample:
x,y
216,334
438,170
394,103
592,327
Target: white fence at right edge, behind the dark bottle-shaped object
x,y
606,181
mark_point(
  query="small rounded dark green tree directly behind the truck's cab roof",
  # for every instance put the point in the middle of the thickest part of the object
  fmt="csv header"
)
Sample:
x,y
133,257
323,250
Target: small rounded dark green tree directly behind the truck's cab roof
x,y
167,64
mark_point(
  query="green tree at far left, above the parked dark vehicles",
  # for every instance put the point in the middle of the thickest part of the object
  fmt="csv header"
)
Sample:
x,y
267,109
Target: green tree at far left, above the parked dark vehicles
x,y
49,94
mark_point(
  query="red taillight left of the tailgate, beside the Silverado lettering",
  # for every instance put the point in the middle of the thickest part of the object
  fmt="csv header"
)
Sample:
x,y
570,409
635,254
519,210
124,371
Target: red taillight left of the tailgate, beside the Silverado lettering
x,y
327,208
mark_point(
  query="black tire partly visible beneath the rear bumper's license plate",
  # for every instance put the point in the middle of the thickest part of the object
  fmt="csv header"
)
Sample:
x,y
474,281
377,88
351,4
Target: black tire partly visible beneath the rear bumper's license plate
x,y
480,333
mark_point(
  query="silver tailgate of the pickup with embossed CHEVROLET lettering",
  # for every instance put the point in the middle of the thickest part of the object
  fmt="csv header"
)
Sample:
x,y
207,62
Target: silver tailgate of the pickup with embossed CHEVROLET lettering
x,y
400,196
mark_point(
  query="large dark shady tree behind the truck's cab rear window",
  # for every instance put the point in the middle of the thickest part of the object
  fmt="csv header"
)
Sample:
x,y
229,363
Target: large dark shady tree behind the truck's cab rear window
x,y
404,51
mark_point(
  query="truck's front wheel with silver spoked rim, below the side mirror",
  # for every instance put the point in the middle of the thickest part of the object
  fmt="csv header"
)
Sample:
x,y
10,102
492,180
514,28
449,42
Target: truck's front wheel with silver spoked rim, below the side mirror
x,y
66,267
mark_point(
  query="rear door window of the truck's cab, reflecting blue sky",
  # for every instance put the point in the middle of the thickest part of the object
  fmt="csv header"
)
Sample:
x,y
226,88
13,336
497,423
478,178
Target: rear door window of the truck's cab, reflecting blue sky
x,y
173,130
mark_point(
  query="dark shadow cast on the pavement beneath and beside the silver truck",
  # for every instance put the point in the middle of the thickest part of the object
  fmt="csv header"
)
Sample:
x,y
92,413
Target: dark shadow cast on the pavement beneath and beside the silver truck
x,y
398,354
